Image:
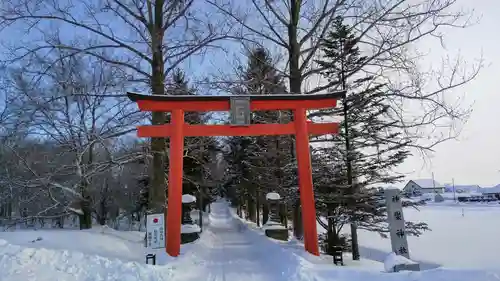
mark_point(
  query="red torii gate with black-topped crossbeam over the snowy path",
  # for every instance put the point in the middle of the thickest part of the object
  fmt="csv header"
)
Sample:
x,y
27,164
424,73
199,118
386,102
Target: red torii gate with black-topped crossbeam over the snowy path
x,y
240,108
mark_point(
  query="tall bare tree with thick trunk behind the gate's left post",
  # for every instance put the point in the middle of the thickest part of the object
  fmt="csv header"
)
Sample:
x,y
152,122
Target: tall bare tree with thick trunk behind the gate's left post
x,y
149,39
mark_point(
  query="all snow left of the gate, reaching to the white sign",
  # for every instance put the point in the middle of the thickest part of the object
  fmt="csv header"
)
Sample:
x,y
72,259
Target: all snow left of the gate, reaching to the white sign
x,y
74,255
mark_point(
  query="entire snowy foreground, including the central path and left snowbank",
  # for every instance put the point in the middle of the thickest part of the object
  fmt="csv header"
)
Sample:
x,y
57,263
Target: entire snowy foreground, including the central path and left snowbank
x,y
227,250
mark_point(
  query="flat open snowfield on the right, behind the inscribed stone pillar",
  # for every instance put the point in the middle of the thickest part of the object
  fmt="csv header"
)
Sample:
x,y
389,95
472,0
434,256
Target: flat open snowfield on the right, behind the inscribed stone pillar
x,y
462,236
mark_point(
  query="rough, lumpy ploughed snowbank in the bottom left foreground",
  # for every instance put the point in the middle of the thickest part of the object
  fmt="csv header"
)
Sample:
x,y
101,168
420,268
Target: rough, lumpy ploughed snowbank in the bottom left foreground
x,y
23,263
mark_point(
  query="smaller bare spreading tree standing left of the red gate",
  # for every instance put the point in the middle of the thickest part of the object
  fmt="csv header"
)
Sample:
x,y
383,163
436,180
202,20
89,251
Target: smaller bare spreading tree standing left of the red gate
x,y
72,110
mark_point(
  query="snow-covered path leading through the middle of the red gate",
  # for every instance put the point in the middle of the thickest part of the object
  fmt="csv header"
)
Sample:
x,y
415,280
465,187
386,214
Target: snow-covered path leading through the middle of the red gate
x,y
228,251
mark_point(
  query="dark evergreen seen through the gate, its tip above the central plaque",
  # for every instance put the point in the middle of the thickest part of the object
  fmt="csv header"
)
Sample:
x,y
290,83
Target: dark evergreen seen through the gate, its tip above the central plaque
x,y
262,158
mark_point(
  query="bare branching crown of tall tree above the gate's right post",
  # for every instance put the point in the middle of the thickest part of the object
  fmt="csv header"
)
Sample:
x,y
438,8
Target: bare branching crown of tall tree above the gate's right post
x,y
387,32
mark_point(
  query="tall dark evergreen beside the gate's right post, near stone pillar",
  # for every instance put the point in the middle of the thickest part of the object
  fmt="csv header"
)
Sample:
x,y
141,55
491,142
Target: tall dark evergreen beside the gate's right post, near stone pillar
x,y
362,157
